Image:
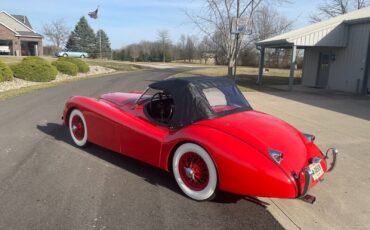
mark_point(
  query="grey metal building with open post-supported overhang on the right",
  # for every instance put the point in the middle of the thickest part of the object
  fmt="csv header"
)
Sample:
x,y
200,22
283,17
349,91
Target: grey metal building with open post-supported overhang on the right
x,y
336,52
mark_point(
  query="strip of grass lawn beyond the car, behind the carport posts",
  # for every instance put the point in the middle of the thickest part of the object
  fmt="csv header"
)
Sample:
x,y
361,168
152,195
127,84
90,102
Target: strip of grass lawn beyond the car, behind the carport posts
x,y
247,76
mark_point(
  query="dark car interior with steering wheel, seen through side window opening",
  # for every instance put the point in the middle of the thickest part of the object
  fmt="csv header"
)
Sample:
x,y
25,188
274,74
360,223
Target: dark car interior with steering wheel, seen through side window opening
x,y
160,108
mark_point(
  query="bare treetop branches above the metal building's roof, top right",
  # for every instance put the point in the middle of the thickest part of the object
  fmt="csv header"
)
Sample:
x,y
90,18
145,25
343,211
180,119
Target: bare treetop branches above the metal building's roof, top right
x,y
332,8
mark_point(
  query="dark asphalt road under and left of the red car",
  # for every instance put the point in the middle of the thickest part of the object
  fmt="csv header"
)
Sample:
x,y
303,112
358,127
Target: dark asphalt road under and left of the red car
x,y
48,183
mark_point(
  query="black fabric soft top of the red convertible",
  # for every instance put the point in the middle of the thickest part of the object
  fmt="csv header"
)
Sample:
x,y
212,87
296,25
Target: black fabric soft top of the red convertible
x,y
191,104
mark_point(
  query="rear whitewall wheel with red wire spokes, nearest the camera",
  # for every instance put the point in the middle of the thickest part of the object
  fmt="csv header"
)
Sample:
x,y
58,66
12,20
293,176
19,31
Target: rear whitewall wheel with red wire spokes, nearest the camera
x,y
195,172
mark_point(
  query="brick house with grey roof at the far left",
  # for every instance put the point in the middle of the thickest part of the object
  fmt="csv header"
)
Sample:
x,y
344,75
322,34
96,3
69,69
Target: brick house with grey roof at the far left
x,y
17,33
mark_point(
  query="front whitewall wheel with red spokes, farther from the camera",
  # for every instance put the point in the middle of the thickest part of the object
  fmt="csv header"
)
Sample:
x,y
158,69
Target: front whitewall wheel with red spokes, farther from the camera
x,y
78,128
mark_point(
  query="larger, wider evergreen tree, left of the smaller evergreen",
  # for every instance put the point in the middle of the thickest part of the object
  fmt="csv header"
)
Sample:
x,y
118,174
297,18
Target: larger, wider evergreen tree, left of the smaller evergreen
x,y
82,38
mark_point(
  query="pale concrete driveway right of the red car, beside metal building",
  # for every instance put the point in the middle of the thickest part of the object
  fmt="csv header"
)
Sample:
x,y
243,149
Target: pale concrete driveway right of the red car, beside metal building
x,y
338,120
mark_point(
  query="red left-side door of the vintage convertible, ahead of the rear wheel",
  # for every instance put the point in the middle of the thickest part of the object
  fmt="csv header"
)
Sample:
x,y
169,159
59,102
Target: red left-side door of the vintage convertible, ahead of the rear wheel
x,y
142,139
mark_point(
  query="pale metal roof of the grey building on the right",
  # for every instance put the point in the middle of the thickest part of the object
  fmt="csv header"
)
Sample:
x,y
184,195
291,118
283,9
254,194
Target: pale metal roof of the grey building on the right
x,y
328,33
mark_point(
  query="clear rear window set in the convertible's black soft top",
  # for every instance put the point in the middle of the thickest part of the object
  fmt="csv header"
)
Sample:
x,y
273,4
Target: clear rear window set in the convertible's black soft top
x,y
225,98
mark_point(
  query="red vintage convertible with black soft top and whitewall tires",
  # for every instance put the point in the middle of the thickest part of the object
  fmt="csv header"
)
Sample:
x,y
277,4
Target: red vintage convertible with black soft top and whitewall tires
x,y
205,132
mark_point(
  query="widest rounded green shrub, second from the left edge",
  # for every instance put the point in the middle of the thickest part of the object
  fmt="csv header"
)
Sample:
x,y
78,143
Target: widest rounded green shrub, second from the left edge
x,y
35,69
